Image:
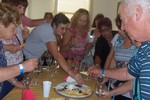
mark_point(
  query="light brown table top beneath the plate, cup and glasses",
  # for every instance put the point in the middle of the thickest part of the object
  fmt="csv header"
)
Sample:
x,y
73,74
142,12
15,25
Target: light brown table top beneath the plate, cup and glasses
x,y
16,93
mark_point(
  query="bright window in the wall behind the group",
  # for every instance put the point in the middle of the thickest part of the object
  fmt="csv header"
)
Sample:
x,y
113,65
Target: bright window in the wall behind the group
x,y
68,7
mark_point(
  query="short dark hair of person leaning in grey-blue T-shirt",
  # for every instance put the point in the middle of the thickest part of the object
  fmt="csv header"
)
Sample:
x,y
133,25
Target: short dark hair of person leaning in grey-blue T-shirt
x,y
60,18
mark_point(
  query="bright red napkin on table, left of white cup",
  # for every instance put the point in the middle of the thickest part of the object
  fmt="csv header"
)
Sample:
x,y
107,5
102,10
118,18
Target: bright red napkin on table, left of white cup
x,y
27,94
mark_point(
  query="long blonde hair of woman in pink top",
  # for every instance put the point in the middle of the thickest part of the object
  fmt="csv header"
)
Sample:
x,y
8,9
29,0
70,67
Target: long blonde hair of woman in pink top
x,y
78,14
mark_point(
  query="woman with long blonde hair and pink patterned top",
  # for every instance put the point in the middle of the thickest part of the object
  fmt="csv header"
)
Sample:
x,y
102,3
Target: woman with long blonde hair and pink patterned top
x,y
73,45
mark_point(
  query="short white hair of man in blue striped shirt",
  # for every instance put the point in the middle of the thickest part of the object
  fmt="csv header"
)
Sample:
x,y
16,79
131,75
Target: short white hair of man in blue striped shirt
x,y
130,4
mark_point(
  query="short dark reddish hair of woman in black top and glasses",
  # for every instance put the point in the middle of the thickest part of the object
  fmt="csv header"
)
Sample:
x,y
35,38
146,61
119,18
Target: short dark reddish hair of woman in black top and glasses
x,y
104,23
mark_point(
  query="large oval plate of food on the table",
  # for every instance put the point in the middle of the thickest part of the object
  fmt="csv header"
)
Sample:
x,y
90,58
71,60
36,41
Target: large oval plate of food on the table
x,y
73,90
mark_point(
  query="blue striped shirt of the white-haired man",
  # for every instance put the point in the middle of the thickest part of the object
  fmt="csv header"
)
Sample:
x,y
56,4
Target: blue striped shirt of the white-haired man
x,y
139,67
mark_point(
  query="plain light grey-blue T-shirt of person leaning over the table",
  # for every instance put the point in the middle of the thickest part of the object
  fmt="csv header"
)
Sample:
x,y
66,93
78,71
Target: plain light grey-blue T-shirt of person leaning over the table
x,y
36,42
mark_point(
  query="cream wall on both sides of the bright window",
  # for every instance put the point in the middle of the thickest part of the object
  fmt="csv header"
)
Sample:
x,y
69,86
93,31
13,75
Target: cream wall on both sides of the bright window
x,y
37,8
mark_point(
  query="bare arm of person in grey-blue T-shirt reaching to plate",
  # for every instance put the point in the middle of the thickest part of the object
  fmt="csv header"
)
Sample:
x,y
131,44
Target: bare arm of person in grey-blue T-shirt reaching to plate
x,y
53,49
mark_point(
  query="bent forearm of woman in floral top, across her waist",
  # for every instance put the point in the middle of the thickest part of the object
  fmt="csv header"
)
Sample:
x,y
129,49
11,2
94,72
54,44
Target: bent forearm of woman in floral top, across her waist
x,y
12,48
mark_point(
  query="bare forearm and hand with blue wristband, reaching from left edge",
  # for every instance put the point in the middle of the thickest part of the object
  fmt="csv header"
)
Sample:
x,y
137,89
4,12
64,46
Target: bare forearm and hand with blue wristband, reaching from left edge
x,y
12,71
